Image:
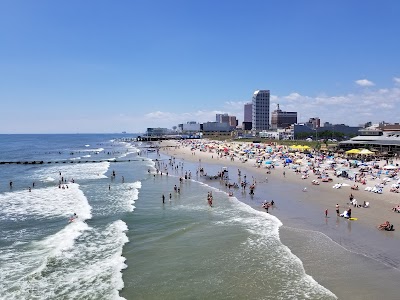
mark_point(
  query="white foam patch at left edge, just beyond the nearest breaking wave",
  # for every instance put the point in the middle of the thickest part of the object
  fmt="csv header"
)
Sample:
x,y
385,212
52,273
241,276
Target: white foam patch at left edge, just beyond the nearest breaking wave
x,y
45,203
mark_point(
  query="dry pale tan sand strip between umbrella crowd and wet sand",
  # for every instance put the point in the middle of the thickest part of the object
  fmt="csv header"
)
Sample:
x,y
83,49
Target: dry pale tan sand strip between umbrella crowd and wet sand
x,y
322,195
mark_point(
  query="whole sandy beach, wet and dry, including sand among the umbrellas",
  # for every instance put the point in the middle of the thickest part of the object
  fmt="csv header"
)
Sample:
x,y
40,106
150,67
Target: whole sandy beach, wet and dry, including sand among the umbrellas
x,y
370,253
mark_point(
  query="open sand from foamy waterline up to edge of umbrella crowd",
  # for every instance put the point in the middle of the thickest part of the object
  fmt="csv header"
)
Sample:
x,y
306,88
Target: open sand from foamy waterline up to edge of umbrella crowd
x,y
302,215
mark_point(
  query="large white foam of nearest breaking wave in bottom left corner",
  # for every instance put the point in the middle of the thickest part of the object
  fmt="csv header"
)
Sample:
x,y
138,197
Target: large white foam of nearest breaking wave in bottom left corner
x,y
91,269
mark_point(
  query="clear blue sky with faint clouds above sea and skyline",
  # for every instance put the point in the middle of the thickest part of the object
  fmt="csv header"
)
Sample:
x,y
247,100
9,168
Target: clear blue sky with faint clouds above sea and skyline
x,y
112,66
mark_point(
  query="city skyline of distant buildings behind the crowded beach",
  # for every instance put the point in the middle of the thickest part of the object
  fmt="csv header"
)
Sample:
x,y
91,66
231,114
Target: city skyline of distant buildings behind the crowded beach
x,y
256,120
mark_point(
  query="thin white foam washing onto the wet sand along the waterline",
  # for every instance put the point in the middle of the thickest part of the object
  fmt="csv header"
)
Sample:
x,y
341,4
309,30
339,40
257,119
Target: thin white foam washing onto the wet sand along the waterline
x,y
263,229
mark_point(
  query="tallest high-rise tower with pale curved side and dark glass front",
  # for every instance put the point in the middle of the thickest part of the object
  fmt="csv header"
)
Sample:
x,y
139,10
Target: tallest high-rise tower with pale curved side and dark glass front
x,y
260,110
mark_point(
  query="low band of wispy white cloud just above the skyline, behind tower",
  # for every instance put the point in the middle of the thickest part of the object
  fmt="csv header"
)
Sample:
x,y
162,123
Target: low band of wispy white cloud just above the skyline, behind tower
x,y
352,109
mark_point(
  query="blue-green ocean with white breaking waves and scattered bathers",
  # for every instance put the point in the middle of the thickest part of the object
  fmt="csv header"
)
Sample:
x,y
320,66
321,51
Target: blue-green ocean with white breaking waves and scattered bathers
x,y
125,243
